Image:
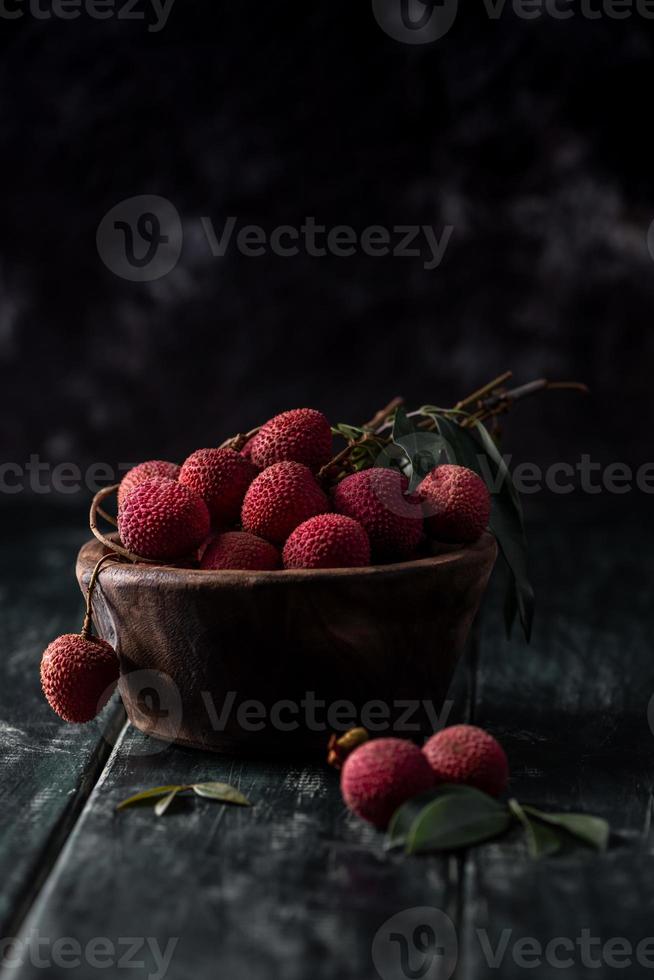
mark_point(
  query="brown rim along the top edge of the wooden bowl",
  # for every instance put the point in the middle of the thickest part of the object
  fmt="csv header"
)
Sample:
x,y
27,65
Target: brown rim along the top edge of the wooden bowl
x,y
181,577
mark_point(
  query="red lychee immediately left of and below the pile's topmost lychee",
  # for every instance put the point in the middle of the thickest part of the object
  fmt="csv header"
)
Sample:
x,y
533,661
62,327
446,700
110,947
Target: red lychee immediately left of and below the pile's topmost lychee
x,y
220,477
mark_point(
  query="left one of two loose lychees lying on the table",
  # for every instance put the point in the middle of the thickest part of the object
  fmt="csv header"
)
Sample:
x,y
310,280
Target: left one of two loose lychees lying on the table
x,y
381,775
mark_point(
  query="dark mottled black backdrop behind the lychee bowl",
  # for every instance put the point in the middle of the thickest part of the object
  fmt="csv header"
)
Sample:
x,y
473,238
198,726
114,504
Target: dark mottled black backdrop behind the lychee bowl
x,y
531,138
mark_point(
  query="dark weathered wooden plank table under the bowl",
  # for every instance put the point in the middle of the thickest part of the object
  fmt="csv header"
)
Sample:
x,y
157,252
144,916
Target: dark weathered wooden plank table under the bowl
x,y
295,887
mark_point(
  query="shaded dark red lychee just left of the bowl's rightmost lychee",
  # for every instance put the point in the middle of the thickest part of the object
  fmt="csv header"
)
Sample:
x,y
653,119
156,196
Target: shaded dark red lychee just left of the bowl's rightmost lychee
x,y
377,498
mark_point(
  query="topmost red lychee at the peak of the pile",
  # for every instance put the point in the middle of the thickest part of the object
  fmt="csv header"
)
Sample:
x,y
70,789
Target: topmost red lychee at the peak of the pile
x,y
302,435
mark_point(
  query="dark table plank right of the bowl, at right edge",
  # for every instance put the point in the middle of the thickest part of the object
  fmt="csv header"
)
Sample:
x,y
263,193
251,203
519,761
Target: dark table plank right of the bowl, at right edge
x,y
572,710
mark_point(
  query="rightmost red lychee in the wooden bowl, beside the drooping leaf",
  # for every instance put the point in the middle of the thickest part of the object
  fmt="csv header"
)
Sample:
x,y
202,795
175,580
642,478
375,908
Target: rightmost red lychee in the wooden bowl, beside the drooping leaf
x,y
457,503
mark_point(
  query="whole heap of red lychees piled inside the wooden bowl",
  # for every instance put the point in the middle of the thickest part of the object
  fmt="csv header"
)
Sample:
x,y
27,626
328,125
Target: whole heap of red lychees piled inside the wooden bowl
x,y
267,507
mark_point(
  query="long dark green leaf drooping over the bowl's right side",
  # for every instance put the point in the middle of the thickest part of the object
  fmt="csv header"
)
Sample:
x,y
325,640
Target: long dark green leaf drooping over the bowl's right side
x,y
506,517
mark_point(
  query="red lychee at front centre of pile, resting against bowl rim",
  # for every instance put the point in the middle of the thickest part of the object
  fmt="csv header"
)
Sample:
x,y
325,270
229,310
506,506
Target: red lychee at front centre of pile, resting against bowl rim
x,y
327,541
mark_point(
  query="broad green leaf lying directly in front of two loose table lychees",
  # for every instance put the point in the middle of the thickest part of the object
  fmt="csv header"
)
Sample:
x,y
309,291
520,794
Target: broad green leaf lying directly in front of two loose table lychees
x,y
457,820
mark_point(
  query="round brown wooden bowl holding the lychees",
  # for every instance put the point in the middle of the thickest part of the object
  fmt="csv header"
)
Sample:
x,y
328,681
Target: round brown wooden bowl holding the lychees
x,y
273,662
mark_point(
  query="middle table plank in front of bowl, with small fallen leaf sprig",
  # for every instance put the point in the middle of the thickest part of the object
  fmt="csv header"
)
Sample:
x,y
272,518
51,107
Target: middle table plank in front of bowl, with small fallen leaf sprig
x,y
293,887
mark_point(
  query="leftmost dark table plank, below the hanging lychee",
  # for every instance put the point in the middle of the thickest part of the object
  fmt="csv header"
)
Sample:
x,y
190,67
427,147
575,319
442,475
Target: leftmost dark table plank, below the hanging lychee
x,y
47,768
